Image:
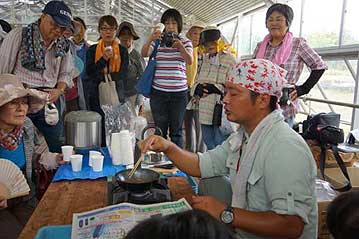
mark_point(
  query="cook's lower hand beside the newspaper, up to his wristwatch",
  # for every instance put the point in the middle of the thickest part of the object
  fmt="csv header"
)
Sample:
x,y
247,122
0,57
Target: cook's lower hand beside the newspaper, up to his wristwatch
x,y
208,204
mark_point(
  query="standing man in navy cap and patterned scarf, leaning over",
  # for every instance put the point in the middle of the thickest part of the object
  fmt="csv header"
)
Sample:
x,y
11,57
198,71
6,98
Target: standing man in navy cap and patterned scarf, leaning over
x,y
40,57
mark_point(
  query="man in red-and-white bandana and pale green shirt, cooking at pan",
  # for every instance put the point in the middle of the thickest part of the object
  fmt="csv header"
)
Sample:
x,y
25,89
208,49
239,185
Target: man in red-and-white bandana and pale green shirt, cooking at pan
x,y
271,168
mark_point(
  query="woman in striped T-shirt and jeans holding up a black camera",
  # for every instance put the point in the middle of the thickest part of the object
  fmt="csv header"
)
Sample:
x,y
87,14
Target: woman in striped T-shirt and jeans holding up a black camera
x,y
168,99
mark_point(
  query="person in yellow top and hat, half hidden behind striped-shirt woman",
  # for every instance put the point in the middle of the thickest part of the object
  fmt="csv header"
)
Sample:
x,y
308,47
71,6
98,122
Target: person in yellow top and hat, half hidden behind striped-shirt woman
x,y
194,142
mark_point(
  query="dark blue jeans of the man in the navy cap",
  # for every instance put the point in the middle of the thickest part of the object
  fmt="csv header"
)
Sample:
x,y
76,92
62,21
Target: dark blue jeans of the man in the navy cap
x,y
54,134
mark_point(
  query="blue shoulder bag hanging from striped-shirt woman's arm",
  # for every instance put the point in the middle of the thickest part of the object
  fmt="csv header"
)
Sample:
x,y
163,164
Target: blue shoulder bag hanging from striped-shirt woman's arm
x,y
144,84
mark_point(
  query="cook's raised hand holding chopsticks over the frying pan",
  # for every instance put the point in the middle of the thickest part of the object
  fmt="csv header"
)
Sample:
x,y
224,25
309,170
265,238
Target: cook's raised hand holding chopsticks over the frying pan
x,y
154,143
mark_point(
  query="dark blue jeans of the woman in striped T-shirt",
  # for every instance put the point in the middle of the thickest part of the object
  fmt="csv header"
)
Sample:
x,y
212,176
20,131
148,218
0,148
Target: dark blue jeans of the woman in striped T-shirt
x,y
168,110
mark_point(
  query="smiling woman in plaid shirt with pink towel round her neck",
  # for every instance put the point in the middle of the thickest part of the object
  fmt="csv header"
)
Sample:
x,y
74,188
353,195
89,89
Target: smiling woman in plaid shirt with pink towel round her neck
x,y
290,53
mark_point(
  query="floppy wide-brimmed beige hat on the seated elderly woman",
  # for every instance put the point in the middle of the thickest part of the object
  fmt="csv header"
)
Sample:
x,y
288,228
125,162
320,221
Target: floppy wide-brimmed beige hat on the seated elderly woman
x,y
11,88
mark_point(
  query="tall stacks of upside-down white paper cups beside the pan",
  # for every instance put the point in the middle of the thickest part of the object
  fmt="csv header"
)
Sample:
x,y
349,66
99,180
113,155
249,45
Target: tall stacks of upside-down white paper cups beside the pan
x,y
121,148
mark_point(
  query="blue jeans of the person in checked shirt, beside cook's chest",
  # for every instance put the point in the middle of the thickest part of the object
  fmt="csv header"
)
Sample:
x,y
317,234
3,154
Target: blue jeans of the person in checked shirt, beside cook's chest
x,y
212,136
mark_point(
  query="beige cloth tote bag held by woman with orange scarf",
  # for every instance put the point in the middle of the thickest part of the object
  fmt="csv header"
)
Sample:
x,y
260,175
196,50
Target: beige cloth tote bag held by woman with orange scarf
x,y
107,92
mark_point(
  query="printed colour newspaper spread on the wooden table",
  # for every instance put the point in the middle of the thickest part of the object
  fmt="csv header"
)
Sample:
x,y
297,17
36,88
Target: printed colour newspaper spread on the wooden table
x,y
117,220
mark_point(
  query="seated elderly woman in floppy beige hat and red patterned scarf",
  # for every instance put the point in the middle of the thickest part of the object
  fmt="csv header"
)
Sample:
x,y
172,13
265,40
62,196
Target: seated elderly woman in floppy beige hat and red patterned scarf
x,y
19,143
